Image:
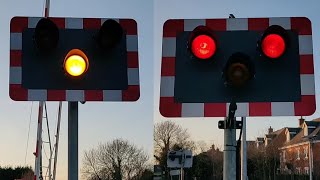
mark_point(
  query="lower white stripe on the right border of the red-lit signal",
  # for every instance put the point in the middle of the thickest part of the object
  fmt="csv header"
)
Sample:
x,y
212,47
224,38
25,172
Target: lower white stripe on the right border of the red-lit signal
x,y
307,84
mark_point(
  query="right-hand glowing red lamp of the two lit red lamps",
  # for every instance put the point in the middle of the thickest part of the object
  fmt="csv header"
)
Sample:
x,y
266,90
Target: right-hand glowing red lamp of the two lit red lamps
x,y
273,46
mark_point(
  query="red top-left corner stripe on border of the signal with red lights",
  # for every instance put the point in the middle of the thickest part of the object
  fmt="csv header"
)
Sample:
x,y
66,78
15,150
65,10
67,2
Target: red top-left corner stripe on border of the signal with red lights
x,y
172,27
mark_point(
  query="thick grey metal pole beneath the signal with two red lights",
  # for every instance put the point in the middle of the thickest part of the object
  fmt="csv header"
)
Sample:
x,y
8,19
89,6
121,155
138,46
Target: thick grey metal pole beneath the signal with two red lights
x,y
229,153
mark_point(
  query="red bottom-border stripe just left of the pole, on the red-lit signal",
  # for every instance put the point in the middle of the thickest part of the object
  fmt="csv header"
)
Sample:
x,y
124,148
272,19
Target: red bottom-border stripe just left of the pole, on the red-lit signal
x,y
215,109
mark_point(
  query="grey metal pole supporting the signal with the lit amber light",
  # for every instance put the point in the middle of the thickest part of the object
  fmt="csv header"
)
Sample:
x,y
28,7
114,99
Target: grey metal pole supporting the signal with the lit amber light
x,y
72,140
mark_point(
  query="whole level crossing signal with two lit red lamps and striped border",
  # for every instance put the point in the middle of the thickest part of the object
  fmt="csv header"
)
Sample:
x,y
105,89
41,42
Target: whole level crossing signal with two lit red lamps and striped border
x,y
266,64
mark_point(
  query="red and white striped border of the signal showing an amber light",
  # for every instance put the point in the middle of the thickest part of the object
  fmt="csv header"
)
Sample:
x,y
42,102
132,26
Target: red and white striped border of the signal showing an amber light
x,y
18,93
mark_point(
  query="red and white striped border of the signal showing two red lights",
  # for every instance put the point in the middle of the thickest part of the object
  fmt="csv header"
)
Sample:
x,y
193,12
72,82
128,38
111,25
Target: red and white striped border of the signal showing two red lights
x,y
169,108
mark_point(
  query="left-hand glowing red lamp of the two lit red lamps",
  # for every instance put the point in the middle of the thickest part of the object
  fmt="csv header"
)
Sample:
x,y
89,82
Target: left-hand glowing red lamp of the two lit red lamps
x,y
203,46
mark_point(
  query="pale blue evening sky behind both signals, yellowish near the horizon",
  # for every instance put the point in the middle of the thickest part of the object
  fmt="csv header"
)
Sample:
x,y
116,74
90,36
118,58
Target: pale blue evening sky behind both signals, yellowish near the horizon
x,y
100,122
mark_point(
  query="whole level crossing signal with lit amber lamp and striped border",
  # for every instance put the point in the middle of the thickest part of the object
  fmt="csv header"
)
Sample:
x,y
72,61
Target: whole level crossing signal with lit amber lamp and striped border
x,y
73,59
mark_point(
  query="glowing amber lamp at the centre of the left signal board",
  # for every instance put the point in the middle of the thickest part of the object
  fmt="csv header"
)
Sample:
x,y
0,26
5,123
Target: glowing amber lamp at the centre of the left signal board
x,y
76,63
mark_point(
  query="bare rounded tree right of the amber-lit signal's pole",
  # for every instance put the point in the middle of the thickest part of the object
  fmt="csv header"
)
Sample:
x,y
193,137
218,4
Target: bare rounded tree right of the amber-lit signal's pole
x,y
114,160
